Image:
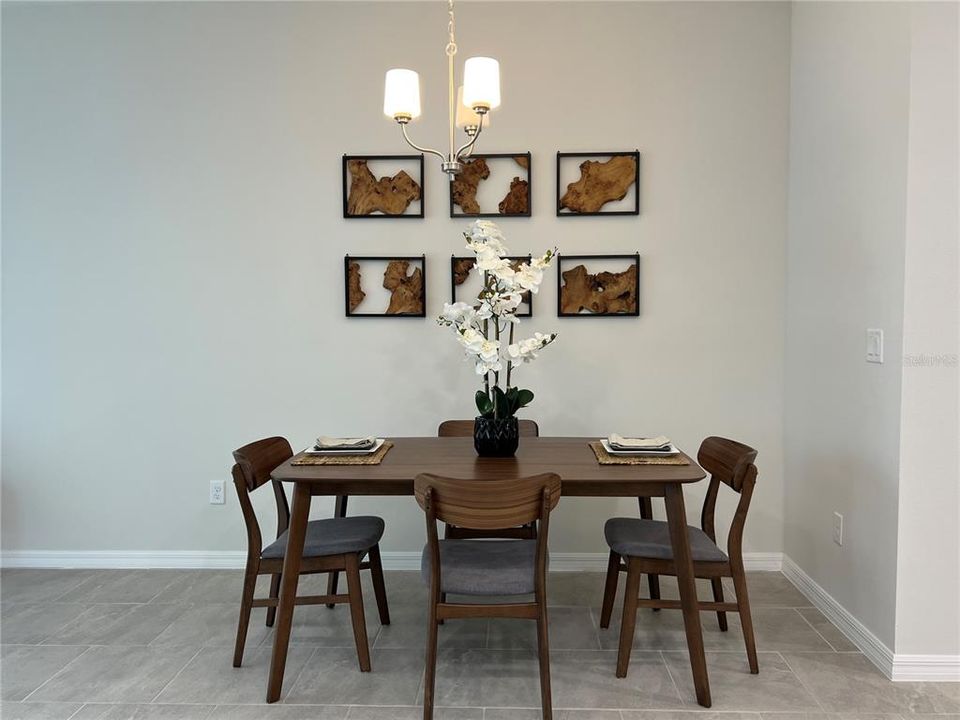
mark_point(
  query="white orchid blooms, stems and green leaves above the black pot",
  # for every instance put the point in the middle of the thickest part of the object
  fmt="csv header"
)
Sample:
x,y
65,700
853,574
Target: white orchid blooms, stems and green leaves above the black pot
x,y
486,328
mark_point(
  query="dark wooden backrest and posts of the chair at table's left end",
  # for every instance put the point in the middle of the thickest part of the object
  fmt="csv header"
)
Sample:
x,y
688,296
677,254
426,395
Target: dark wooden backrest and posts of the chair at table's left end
x,y
254,463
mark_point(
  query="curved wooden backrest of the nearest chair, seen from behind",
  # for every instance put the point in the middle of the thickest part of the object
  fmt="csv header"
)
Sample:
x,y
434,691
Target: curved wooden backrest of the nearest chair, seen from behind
x,y
487,504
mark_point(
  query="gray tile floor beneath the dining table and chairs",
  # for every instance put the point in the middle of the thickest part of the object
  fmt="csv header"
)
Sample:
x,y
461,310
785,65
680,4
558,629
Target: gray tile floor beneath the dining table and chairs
x,y
157,645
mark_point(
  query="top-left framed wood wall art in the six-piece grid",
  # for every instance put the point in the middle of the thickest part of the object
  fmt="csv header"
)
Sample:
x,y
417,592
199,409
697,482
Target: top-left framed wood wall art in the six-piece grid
x,y
383,186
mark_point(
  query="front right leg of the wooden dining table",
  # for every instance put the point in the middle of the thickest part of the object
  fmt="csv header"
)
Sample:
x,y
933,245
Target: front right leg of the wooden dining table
x,y
679,539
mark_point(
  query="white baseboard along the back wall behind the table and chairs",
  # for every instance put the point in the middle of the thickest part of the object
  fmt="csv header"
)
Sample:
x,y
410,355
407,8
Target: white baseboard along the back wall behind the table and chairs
x,y
231,559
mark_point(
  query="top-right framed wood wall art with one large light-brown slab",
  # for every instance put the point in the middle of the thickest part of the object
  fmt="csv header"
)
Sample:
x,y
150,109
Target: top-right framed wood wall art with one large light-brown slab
x,y
600,183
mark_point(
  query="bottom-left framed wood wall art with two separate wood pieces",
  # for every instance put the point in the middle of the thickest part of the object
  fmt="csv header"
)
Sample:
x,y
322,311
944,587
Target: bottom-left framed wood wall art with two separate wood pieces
x,y
391,286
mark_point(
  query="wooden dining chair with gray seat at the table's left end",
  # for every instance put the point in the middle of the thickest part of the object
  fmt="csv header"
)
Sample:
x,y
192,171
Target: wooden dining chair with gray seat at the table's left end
x,y
332,544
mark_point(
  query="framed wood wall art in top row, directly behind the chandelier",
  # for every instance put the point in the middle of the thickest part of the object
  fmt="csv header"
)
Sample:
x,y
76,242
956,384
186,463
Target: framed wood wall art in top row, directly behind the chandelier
x,y
493,185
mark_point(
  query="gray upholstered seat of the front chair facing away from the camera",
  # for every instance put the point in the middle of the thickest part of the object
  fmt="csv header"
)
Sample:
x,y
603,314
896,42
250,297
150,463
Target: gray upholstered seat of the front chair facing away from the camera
x,y
484,567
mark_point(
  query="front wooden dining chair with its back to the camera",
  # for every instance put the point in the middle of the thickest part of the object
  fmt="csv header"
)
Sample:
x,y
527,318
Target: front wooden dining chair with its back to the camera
x,y
478,568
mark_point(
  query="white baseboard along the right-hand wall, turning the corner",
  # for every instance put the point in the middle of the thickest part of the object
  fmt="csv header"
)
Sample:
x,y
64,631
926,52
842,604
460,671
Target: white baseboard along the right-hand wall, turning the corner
x,y
924,668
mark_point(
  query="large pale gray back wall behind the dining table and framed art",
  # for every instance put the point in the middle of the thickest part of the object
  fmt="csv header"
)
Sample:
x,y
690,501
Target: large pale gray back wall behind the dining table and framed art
x,y
173,246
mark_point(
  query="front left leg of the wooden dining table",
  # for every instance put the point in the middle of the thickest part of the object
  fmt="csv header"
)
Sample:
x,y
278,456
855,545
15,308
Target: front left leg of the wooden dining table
x,y
288,588
